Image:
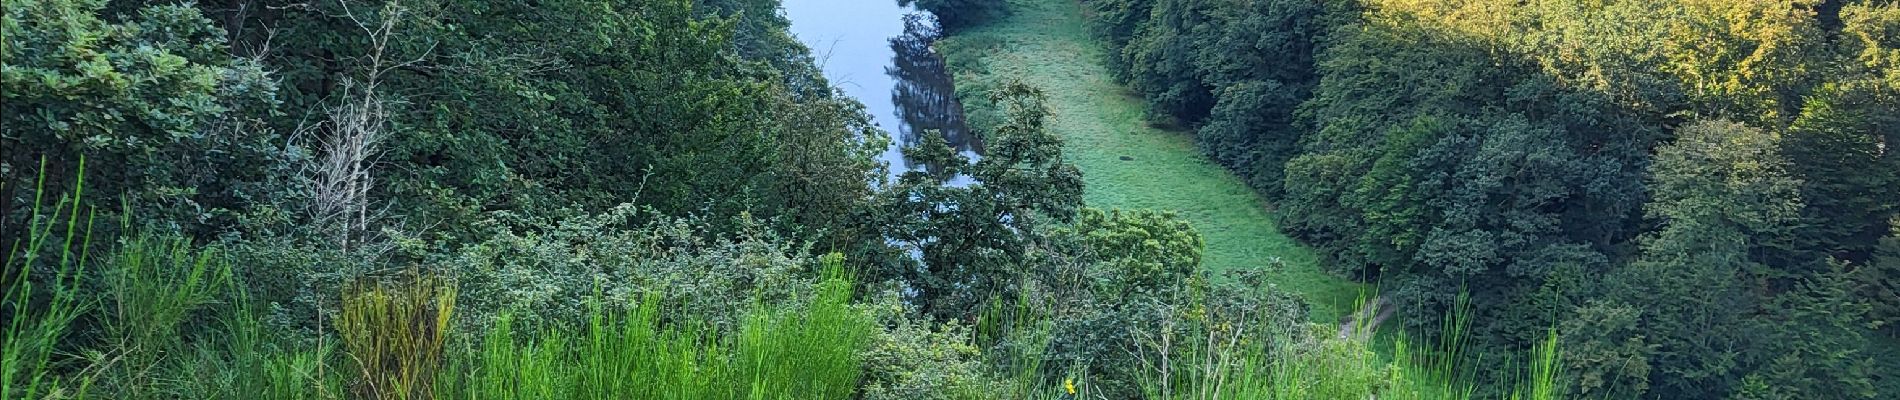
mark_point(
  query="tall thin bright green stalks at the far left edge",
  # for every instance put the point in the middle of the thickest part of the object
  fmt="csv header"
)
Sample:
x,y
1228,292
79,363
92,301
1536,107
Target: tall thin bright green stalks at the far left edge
x,y
37,318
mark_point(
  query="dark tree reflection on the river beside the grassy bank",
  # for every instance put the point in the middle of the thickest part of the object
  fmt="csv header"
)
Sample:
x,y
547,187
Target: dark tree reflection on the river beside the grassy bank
x,y
922,92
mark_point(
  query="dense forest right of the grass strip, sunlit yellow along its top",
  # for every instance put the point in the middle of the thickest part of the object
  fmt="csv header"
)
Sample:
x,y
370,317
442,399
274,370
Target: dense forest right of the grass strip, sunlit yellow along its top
x,y
1700,196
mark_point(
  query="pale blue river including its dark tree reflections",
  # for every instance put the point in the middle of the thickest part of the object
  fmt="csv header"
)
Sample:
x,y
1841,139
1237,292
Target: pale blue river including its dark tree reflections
x,y
881,54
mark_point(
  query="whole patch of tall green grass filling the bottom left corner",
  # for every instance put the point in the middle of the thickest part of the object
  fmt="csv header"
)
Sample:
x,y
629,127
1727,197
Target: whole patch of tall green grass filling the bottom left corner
x,y
147,291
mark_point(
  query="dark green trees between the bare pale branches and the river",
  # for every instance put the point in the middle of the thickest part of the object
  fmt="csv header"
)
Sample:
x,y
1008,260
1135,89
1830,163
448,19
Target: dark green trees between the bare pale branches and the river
x,y
575,107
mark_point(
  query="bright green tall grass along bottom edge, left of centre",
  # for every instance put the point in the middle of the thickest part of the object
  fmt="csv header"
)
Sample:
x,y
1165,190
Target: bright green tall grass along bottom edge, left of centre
x,y
776,354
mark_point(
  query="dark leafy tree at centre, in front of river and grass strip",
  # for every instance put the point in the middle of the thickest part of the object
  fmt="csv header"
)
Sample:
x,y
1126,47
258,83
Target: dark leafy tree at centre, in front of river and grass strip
x,y
974,240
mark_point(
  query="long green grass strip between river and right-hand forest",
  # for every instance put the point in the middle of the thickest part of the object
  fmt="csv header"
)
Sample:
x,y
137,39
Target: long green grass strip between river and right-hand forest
x,y
1126,162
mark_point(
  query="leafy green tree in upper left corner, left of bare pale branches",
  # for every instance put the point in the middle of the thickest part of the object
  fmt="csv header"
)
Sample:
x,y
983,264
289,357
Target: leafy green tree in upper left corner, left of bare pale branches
x,y
149,96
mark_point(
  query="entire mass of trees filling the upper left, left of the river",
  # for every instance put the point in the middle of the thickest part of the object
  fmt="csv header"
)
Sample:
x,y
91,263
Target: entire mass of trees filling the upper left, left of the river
x,y
472,109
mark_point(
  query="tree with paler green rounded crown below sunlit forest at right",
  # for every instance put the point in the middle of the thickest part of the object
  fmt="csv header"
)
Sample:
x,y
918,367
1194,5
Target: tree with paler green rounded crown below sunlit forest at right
x,y
1722,194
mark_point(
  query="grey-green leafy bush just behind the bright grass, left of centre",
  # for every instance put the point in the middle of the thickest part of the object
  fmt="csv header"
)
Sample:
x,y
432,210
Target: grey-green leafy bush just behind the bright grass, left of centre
x,y
558,268
